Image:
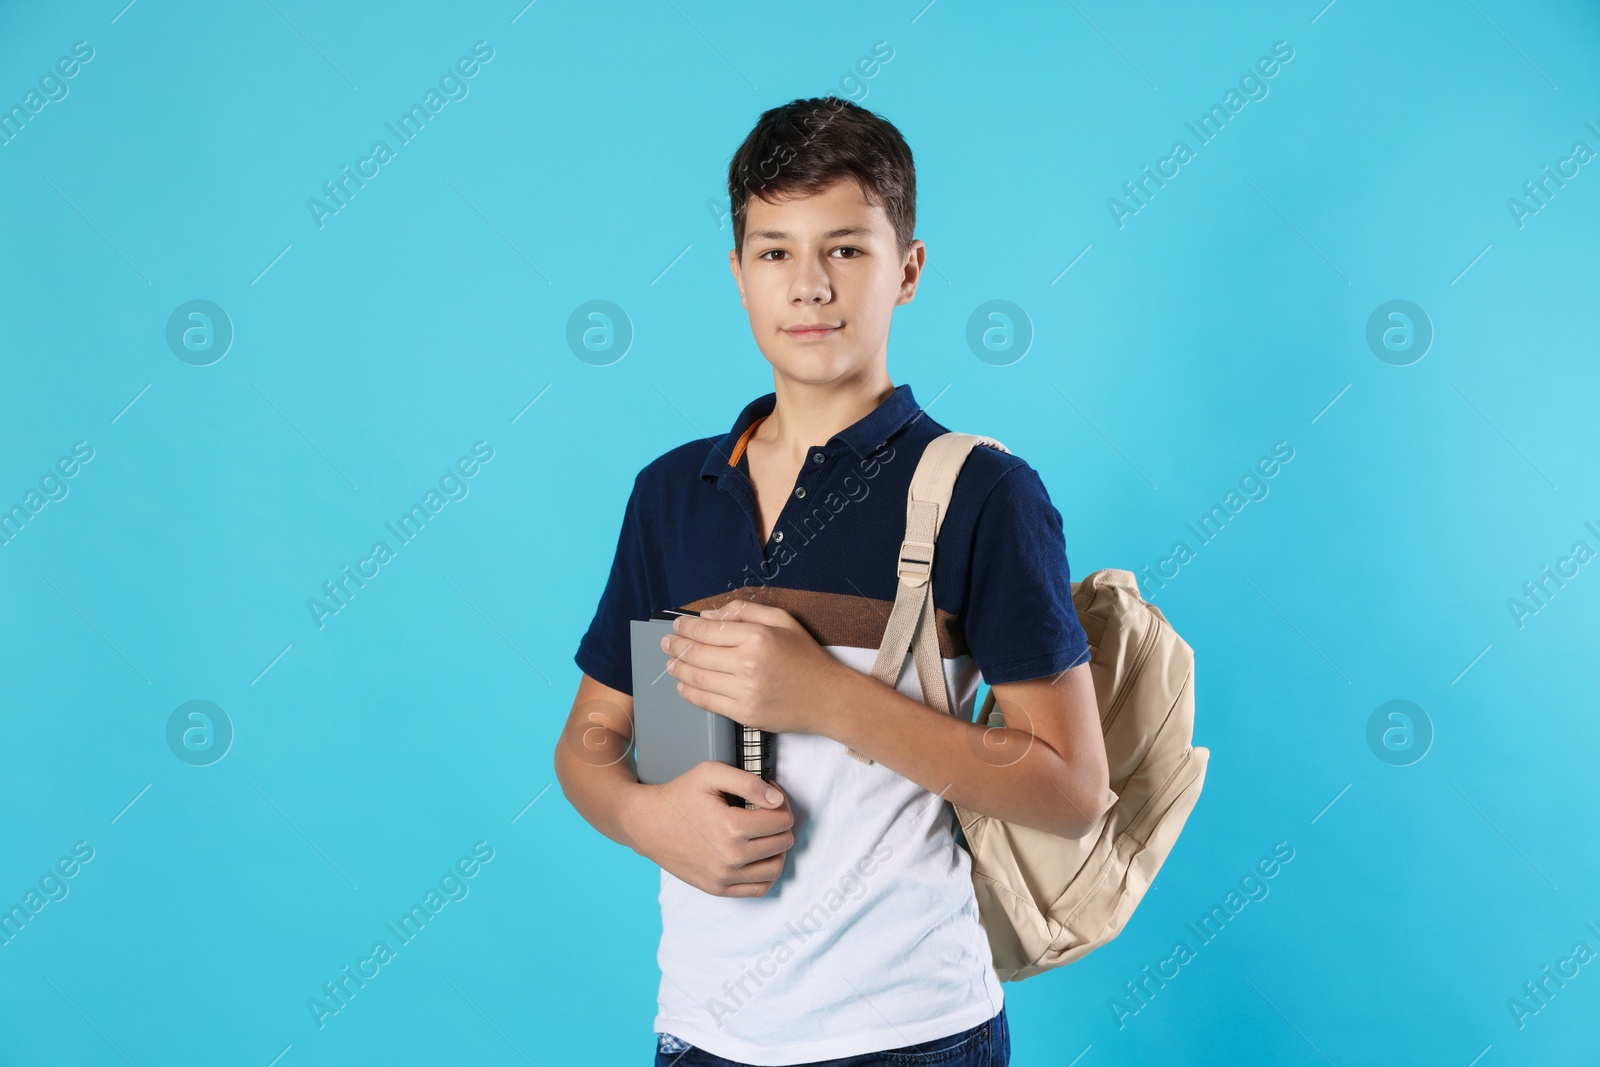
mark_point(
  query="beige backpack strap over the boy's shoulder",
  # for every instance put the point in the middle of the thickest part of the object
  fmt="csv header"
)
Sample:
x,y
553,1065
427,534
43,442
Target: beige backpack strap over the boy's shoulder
x,y
913,626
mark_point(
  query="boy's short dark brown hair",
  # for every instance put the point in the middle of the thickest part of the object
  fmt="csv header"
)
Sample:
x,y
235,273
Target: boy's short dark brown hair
x,y
807,145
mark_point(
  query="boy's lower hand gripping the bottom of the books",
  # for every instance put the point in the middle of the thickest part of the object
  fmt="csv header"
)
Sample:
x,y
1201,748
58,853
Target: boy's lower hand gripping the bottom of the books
x,y
689,829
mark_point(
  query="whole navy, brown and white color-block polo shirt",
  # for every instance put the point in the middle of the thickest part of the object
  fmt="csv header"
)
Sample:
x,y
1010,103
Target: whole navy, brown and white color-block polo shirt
x,y
876,889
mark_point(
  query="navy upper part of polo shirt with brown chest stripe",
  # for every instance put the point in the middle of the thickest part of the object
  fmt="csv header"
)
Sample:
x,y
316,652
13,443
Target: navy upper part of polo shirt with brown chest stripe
x,y
690,540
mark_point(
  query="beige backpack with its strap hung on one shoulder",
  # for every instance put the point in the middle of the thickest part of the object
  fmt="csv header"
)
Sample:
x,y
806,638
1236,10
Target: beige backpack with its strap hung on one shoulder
x,y
1047,900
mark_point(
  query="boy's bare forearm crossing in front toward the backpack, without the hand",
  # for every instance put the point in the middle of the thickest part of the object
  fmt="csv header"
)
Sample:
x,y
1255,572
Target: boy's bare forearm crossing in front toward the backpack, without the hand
x,y
1010,775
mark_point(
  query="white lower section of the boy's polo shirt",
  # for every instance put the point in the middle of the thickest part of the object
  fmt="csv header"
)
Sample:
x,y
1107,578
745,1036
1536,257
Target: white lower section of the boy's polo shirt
x,y
868,941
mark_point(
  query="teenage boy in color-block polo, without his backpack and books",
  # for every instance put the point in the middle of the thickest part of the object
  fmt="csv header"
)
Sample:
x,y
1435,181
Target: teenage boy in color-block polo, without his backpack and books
x,y
836,922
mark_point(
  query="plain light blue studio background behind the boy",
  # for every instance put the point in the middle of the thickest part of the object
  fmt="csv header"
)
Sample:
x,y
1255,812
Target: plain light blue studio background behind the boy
x,y
590,162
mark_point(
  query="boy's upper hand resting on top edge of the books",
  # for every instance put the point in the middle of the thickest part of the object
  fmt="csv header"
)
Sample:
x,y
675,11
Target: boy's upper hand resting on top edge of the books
x,y
756,665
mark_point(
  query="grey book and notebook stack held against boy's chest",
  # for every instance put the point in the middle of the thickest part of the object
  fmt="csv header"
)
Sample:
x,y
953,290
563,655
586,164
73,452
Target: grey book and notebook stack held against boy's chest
x,y
671,733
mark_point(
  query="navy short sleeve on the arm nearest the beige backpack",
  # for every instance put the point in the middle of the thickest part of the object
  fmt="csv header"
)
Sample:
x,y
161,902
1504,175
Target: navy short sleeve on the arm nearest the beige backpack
x,y
1020,621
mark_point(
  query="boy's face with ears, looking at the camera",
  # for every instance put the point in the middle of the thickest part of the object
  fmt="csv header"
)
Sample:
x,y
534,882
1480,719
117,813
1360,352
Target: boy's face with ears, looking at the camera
x,y
825,262
